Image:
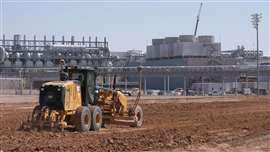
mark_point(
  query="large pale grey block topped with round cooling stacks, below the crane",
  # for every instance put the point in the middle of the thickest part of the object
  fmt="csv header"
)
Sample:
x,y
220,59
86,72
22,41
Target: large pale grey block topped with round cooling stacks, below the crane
x,y
184,46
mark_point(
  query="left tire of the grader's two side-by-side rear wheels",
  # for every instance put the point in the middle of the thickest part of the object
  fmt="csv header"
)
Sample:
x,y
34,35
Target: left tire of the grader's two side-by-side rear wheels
x,y
82,120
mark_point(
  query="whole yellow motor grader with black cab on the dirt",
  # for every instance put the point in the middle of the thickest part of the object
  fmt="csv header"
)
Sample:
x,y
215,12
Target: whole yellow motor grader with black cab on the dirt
x,y
74,102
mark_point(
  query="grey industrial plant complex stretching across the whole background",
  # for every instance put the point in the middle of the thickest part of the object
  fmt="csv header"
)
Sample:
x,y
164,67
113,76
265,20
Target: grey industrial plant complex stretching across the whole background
x,y
187,62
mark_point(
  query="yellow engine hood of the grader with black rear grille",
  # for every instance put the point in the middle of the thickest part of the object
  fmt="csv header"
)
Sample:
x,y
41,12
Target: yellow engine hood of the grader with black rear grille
x,y
60,95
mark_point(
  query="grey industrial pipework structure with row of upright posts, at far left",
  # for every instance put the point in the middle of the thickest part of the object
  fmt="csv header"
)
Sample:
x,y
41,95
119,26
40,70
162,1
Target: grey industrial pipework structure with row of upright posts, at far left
x,y
43,53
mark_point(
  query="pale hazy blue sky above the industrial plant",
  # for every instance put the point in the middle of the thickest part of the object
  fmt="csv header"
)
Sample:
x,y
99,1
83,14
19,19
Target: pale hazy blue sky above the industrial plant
x,y
133,24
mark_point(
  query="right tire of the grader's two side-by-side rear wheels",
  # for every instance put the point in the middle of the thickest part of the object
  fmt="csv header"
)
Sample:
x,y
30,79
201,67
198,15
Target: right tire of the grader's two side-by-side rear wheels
x,y
96,114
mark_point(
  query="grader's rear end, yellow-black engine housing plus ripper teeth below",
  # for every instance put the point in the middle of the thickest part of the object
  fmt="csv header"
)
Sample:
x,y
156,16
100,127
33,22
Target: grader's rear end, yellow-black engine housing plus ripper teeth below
x,y
58,100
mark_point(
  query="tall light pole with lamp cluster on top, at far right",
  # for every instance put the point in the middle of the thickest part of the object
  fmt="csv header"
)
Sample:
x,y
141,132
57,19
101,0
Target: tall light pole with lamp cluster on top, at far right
x,y
255,19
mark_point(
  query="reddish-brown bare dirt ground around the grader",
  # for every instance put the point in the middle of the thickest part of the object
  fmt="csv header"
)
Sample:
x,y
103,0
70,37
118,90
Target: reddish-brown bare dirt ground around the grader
x,y
171,124
